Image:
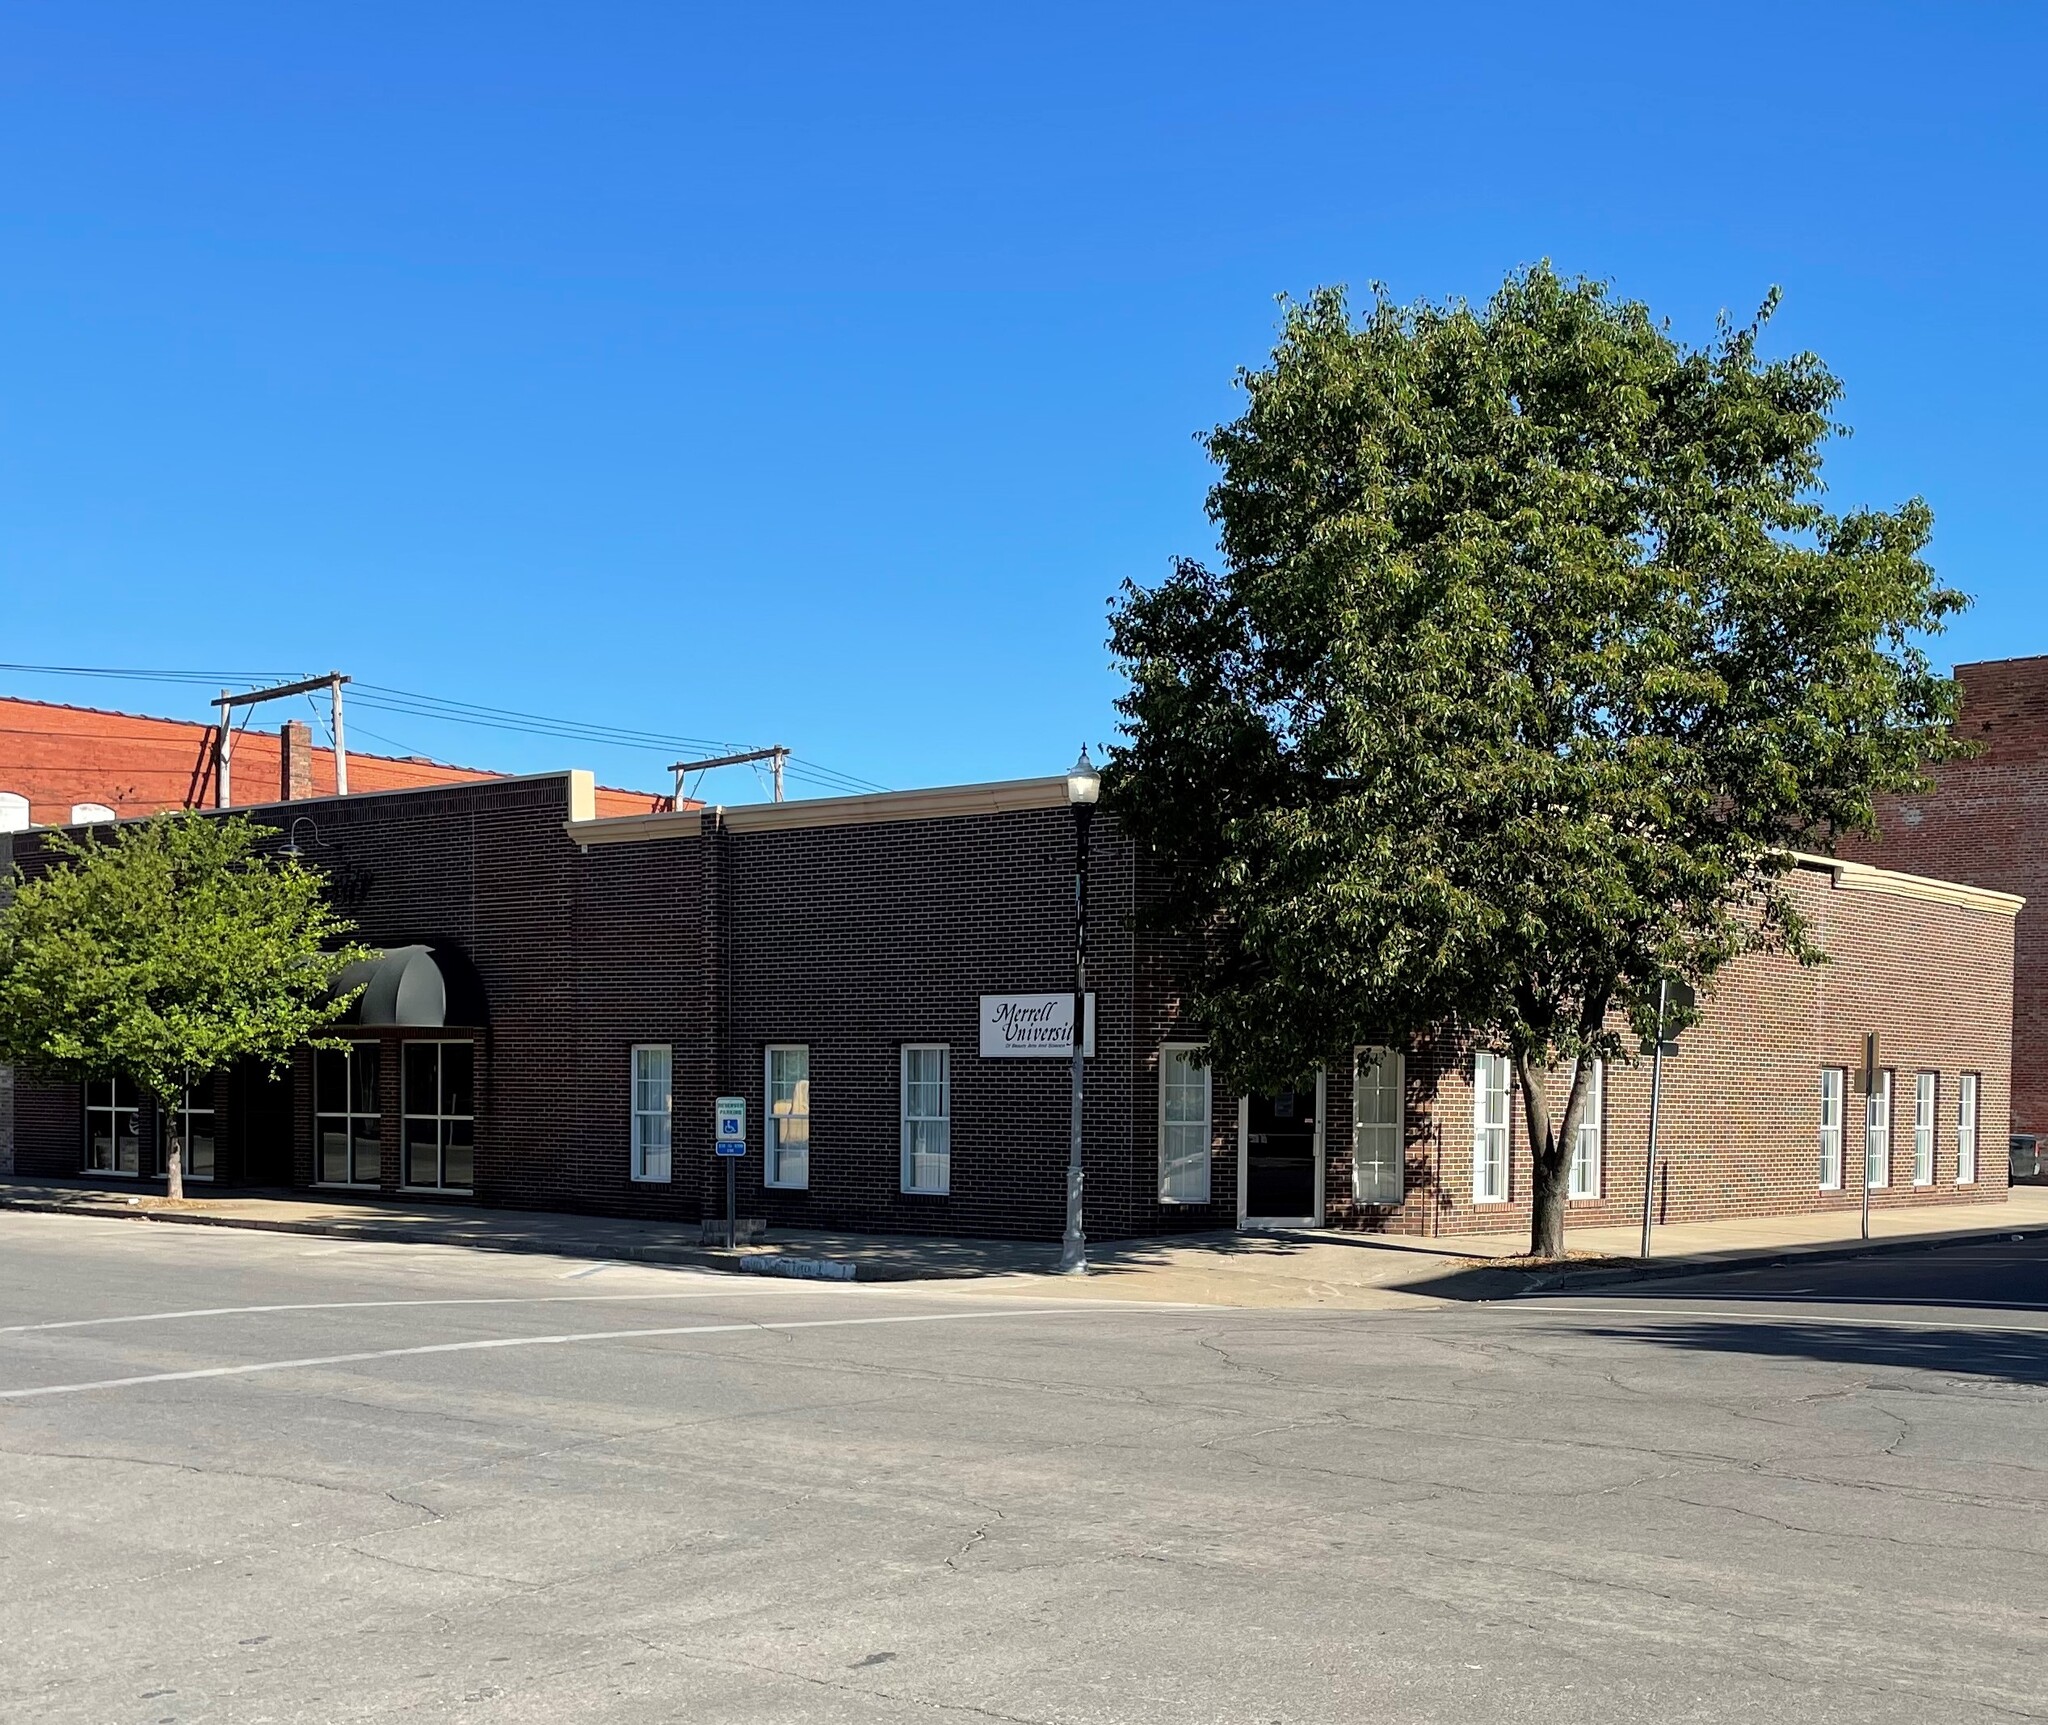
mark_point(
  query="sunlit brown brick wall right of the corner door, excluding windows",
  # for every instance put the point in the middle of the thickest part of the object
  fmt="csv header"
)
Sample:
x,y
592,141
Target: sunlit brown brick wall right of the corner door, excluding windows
x,y
1742,1101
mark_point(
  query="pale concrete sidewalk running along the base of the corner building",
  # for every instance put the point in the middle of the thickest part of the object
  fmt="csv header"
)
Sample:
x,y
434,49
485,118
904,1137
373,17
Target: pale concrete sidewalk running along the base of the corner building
x,y
1209,1269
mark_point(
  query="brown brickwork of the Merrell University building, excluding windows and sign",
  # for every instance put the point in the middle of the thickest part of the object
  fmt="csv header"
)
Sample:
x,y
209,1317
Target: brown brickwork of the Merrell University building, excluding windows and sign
x,y
857,939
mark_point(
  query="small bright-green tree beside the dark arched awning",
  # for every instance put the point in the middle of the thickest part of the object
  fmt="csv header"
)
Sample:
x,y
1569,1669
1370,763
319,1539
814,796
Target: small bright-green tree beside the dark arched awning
x,y
167,956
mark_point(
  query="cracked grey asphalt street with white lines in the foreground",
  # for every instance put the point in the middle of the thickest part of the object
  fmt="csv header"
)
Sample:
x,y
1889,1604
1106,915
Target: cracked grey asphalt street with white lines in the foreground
x,y
261,1478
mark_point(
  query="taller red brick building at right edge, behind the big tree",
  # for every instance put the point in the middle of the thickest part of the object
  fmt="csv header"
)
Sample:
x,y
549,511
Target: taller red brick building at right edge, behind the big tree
x,y
1988,823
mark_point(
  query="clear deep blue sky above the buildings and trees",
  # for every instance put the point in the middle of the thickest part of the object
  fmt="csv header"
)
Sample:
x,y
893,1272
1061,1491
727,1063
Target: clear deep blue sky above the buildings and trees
x,y
779,374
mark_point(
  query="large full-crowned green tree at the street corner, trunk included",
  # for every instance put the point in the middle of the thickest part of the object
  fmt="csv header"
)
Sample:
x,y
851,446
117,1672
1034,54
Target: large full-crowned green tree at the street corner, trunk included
x,y
1533,655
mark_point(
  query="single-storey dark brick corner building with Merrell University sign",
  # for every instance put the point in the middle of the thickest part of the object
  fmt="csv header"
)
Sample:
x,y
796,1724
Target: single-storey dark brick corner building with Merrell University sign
x,y
564,995
